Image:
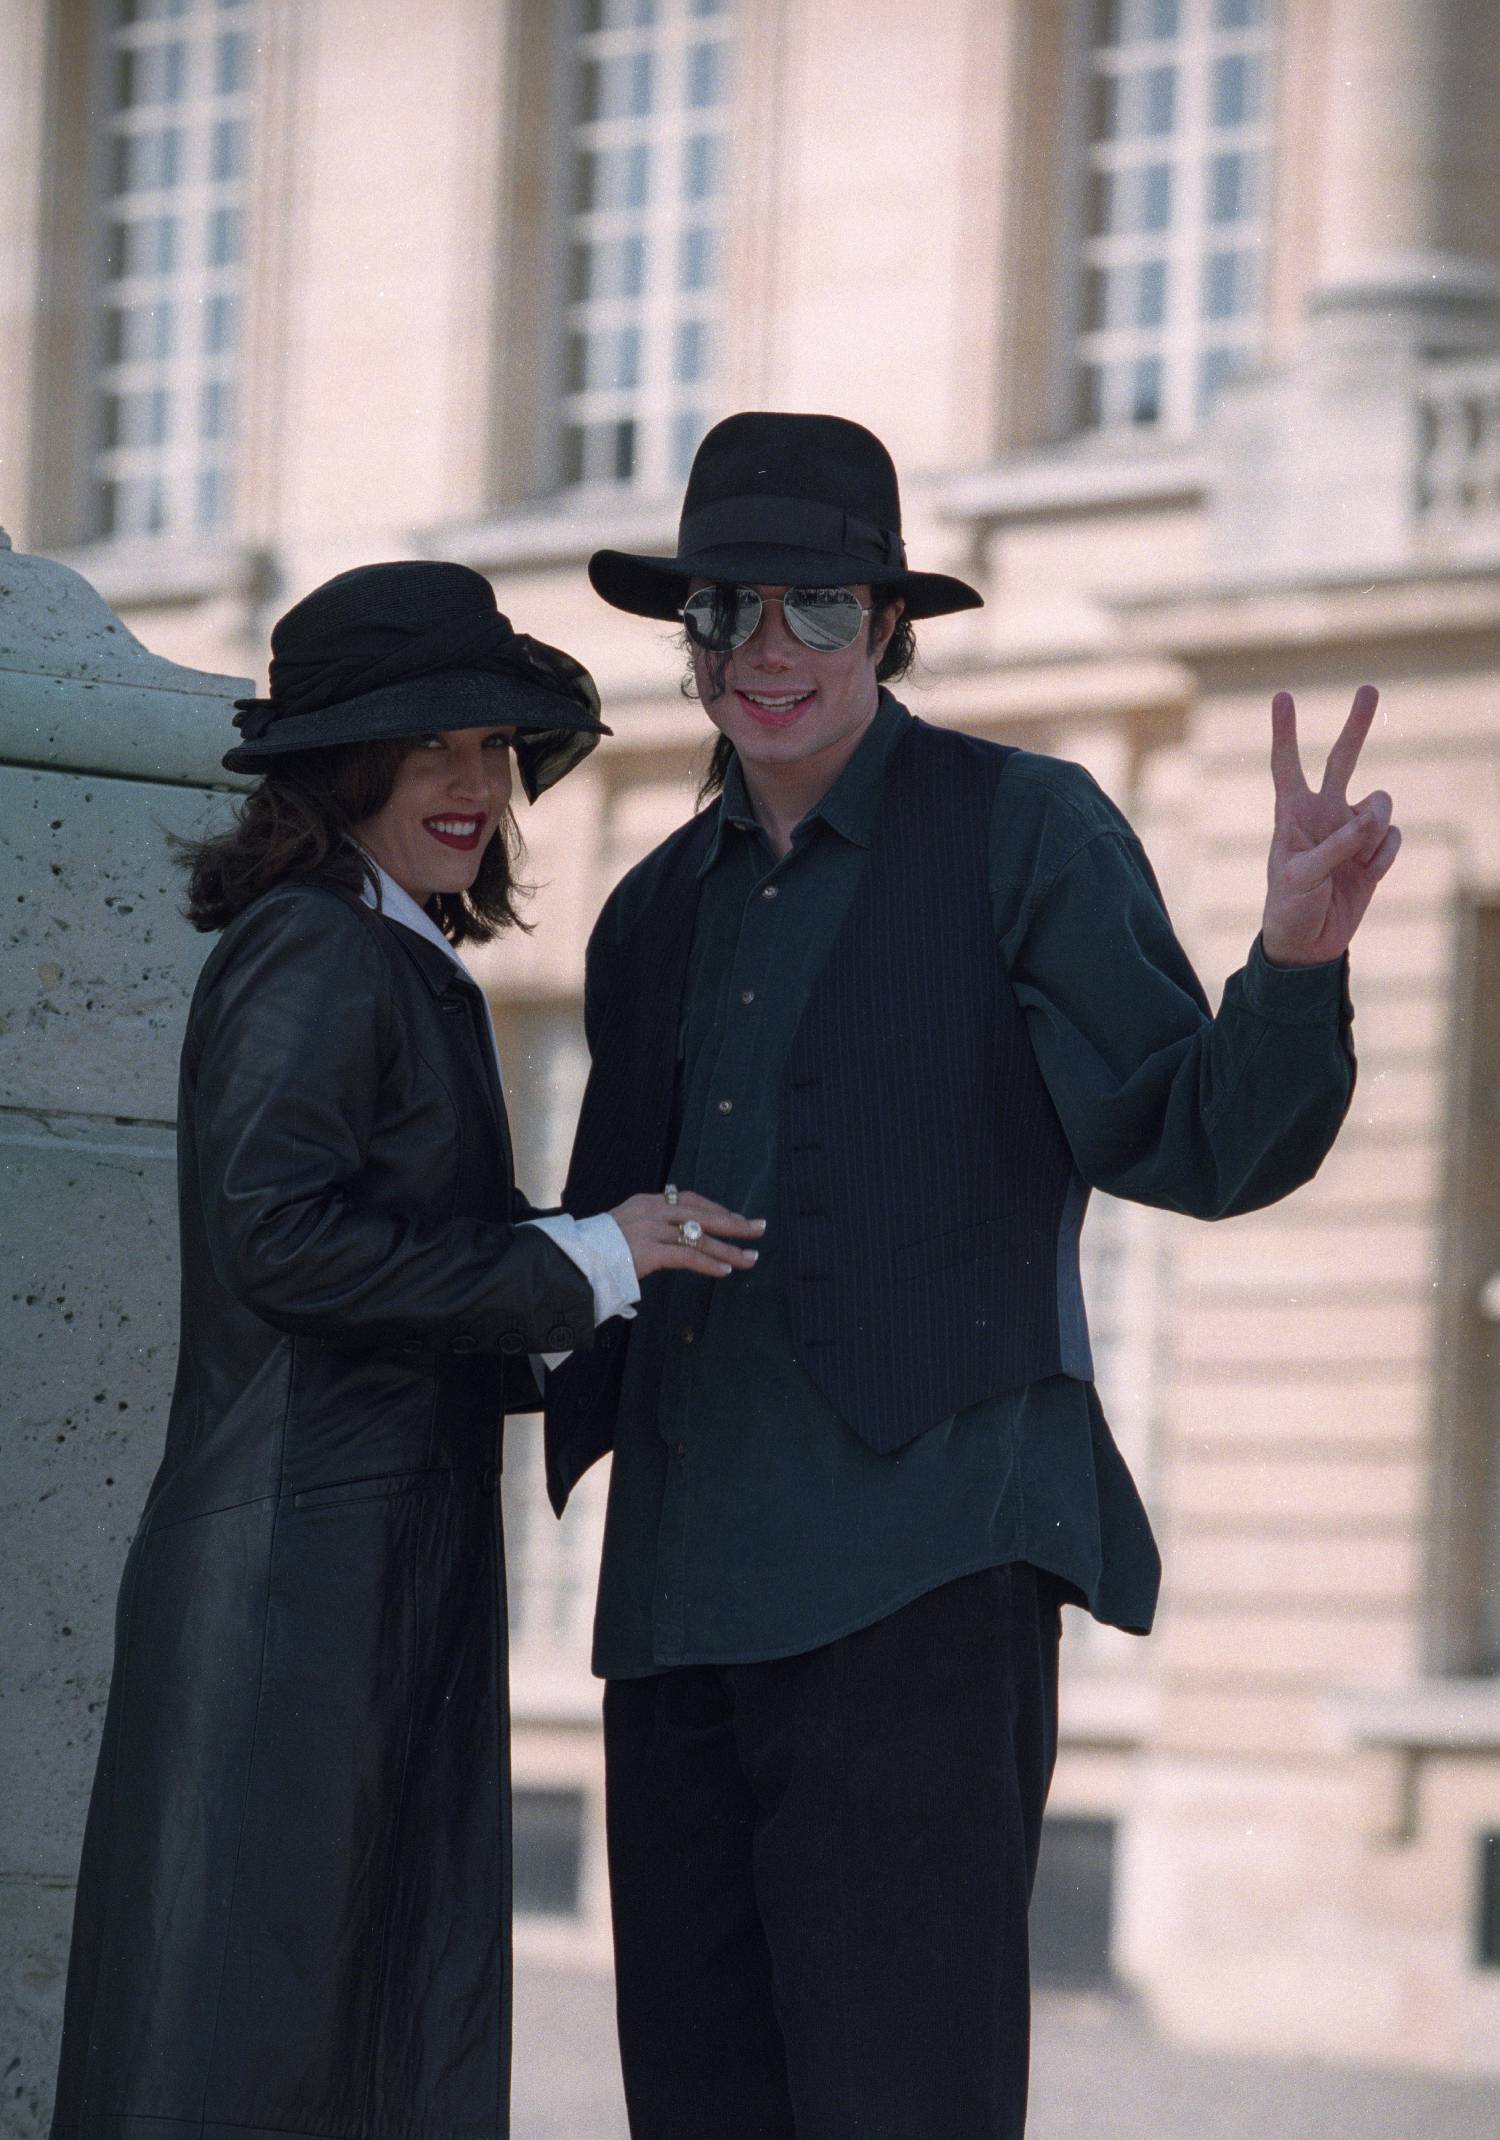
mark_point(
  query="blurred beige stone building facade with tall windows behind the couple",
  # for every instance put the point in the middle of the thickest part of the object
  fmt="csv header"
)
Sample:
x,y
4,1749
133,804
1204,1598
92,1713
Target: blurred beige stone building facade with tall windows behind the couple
x,y
1182,320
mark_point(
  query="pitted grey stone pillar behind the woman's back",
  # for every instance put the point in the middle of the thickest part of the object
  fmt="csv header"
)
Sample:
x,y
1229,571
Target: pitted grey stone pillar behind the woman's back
x,y
104,752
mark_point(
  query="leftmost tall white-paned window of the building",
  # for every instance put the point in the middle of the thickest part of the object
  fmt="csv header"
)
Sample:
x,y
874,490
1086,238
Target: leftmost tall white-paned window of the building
x,y
174,239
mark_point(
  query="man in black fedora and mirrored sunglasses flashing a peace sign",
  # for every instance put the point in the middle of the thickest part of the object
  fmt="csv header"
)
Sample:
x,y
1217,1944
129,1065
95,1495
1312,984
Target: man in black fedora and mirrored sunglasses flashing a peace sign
x,y
908,996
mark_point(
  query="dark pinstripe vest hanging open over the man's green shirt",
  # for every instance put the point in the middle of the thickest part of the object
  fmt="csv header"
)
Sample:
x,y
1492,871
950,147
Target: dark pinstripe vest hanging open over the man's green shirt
x,y
930,1202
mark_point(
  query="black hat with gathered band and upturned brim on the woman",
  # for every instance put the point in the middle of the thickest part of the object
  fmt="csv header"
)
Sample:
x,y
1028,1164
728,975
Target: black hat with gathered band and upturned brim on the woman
x,y
410,649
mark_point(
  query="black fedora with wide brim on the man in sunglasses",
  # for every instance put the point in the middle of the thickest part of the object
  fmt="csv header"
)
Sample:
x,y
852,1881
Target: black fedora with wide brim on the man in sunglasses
x,y
784,502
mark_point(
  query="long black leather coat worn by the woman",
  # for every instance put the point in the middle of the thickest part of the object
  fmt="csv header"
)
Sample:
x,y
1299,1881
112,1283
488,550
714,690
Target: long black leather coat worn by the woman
x,y
294,1906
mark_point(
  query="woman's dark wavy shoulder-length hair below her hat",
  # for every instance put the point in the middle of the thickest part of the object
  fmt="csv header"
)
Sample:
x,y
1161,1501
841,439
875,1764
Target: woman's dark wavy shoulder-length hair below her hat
x,y
299,823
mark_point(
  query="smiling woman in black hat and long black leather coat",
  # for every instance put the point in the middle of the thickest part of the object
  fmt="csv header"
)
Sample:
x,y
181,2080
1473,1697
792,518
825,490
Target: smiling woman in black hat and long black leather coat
x,y
296,1876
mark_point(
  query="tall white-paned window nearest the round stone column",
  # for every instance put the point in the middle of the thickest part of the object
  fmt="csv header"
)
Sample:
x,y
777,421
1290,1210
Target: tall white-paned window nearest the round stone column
x,y
1176,207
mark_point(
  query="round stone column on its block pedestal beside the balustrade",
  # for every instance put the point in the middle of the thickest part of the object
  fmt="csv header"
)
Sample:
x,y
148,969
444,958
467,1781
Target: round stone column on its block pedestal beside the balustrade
x,y
1321,461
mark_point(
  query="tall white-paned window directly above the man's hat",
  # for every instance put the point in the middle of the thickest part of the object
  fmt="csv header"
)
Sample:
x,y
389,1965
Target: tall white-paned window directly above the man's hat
x,y
647,166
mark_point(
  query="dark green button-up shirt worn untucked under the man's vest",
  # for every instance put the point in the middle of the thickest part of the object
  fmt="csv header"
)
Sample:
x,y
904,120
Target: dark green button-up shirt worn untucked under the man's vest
x,y
746,1518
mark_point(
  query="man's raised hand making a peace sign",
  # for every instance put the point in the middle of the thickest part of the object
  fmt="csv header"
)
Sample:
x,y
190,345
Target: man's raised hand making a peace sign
x,y
1328,855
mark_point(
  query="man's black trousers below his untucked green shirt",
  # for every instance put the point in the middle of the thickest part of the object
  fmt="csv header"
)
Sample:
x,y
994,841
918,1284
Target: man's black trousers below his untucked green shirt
x,y
821,1874
